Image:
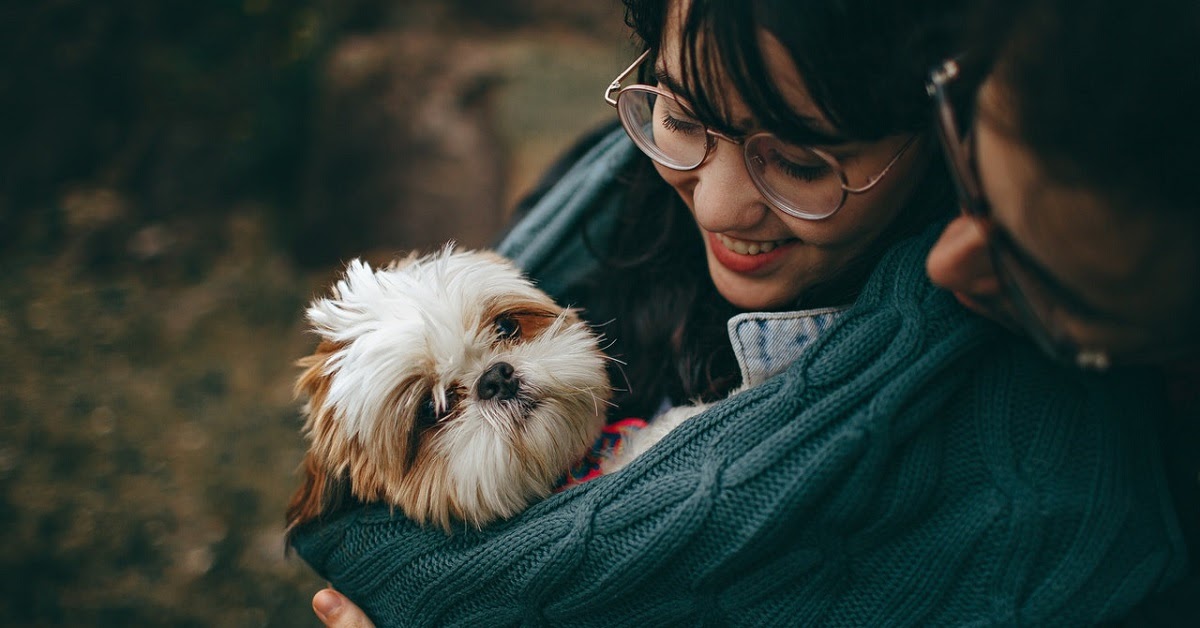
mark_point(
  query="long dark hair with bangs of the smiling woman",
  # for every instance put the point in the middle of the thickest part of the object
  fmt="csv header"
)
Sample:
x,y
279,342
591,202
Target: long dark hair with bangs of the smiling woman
x,y
865,63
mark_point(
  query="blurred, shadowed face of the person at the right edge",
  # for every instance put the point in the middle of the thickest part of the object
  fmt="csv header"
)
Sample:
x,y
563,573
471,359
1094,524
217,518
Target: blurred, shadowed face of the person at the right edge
x,y
1108,278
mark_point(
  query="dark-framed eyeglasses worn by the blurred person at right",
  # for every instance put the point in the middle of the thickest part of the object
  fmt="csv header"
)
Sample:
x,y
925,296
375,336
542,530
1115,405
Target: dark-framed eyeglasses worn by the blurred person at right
x,y
1035,301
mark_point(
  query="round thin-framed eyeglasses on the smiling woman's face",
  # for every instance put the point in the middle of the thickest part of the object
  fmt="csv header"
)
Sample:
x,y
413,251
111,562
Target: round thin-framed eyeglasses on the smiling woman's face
x,y
802,182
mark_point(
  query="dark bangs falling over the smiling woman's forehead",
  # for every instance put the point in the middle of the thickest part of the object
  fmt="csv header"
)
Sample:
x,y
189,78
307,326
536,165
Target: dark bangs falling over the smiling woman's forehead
x,y
863,63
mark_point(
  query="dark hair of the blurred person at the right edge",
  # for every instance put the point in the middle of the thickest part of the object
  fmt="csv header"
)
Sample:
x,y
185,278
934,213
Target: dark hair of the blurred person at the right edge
x,y
1106,94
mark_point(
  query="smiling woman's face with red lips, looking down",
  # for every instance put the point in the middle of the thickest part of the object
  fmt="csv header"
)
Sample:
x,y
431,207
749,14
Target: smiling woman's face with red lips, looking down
x,y
759,258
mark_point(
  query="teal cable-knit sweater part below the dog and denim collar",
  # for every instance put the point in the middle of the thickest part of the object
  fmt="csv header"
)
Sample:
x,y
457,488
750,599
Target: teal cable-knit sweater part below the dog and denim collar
x,y
916,466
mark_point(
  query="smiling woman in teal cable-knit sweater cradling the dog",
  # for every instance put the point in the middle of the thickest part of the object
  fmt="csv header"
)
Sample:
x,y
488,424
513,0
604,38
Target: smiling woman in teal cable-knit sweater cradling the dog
x,y
895,462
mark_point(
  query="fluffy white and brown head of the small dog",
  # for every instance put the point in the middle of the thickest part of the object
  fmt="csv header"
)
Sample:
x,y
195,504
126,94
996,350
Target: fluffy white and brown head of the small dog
x,y
448,386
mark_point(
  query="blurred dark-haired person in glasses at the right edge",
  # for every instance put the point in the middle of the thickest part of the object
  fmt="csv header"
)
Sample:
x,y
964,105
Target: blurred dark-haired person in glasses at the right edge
x,y
1071,129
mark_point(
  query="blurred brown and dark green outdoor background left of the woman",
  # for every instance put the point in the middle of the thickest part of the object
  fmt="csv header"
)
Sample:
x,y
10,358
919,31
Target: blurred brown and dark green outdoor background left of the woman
x,y
177,181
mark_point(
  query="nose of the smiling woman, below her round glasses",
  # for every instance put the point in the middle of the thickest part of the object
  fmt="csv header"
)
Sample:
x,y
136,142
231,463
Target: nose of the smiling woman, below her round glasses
x,y
725,199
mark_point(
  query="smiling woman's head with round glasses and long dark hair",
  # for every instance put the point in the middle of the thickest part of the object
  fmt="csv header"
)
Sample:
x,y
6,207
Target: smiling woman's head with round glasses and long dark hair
x,y
802,231
